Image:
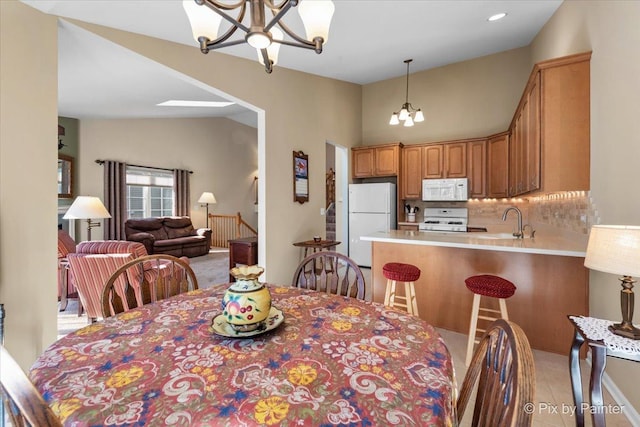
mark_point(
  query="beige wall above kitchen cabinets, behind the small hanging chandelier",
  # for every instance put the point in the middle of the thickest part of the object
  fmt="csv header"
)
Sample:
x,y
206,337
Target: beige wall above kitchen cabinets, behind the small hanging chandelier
x,y
468,99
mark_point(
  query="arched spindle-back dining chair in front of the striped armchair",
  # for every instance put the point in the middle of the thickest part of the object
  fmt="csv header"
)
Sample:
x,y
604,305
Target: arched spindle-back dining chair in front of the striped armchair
x,y
144,280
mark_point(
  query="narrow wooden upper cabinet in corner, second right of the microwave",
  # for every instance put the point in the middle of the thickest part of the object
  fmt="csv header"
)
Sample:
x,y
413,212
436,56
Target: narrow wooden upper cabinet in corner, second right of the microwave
x,y
498,166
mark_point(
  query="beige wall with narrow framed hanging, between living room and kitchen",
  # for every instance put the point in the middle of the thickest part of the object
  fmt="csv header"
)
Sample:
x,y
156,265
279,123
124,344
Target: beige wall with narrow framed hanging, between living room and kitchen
x,y
302,112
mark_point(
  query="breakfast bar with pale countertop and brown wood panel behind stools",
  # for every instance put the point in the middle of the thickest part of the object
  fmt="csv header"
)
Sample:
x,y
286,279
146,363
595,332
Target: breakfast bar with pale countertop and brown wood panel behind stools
x,y
548,272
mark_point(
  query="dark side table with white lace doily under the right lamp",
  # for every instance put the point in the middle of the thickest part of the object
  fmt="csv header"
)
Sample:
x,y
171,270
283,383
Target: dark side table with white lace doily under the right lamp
x,y
599,352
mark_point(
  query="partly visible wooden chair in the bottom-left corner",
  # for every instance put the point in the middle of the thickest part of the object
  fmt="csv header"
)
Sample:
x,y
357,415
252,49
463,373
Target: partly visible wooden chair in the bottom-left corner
x,y
23,403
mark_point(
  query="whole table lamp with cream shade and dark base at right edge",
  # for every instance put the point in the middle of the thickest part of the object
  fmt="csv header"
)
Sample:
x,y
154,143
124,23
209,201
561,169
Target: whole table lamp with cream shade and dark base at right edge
x,y
616,249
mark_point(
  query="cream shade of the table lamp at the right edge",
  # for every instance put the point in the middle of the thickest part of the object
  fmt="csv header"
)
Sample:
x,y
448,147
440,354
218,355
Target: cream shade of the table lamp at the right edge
x,y
614,249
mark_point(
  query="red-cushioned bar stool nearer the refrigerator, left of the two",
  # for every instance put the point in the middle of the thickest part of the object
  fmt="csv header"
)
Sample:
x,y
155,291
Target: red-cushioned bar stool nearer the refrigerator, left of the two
x,y
398,272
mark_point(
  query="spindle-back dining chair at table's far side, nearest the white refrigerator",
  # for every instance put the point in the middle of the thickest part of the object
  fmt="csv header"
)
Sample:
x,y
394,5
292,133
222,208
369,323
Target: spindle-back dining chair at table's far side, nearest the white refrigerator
x,y
330,272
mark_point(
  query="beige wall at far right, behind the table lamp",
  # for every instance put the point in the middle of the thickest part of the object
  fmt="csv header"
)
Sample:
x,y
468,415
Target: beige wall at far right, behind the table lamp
x,y
610,30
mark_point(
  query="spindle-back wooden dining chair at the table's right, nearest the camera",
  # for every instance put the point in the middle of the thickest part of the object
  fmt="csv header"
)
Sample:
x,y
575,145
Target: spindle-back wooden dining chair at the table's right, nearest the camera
x,y
503,370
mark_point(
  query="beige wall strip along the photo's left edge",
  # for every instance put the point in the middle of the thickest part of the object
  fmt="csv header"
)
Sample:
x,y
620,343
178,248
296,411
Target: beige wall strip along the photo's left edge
x,y
28,201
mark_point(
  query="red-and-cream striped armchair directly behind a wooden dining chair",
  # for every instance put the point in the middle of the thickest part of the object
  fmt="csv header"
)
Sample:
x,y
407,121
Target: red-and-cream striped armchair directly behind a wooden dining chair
x,y
92,265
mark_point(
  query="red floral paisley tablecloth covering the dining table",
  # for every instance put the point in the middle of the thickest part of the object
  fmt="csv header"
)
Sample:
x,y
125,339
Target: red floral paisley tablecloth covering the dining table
x,y
334,361
